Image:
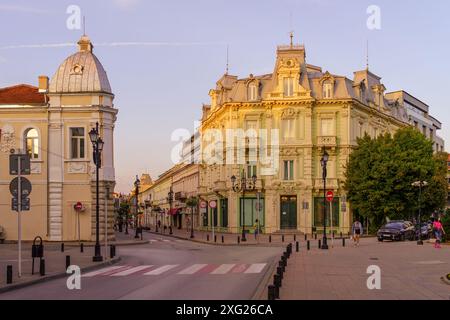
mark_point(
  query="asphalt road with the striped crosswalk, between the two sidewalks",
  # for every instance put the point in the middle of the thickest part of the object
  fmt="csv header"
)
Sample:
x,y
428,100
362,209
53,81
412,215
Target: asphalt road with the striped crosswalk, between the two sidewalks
x,y
167,269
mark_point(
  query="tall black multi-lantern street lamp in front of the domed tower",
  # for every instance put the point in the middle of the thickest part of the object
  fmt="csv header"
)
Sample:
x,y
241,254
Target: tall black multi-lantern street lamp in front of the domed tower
x,y
97,144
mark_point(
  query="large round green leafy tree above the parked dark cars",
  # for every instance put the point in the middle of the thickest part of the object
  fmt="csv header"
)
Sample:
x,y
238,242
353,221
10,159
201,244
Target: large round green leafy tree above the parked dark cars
x,y
381,171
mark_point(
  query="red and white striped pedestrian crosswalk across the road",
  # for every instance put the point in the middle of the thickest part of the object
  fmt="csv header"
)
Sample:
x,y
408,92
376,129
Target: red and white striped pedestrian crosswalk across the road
x,y
194,269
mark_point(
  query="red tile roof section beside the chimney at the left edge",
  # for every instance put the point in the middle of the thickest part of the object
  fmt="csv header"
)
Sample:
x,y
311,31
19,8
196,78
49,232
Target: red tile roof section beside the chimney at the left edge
x,y
21,94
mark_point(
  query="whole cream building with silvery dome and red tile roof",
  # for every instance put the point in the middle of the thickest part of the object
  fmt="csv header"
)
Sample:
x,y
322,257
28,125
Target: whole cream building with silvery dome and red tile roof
x,y
51,123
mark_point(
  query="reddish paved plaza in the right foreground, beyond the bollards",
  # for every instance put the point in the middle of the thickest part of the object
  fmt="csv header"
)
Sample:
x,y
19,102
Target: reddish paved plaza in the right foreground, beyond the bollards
x,y
408,272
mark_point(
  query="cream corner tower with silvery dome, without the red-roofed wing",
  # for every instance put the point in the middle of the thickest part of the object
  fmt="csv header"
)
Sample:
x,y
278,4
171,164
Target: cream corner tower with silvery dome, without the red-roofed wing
x,y
80,96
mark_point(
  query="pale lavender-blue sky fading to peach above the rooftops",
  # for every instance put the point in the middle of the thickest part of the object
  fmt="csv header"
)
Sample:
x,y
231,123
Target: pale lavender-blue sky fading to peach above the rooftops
x,y
163,56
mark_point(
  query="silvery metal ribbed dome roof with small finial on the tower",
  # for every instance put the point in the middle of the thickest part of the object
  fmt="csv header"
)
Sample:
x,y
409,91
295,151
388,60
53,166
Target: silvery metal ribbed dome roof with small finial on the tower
x,y
81,72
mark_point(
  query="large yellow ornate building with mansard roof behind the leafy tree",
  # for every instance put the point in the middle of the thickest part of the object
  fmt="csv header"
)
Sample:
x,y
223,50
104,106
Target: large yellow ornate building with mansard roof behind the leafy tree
x,y
311,110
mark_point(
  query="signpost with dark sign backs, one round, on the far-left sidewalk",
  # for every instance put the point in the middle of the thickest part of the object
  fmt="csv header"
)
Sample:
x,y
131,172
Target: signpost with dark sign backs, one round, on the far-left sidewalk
x,y
20,188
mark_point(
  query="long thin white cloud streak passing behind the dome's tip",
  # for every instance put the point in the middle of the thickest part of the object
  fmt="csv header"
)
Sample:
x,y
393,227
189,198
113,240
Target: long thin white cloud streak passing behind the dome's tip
x,y
116,44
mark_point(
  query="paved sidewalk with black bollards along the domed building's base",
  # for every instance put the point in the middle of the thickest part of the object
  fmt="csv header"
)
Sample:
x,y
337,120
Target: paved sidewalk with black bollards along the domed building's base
x,y
55,260
